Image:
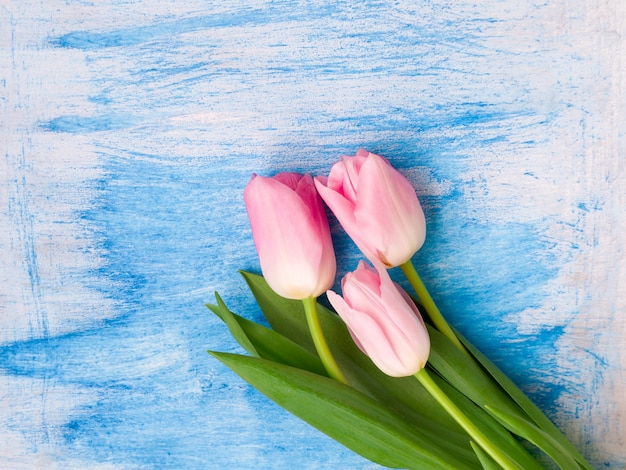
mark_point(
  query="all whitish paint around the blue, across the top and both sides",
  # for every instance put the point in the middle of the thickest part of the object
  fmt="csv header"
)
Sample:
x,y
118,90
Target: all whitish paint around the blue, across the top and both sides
x,y
570,183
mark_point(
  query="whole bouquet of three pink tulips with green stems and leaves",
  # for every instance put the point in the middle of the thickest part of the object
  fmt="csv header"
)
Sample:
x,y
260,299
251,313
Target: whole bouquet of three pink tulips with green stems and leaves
x,y
385,374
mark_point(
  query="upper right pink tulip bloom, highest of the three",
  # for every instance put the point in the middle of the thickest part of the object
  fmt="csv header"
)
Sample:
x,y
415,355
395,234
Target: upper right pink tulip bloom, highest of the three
x,y
377,207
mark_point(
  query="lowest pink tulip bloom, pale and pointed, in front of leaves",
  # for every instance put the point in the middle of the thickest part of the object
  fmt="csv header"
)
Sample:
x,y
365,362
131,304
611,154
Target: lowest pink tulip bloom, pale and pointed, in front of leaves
x,y
383,321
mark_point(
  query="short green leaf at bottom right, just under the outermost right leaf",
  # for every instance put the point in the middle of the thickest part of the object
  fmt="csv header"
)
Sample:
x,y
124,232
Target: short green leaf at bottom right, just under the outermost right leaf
x,y
538,437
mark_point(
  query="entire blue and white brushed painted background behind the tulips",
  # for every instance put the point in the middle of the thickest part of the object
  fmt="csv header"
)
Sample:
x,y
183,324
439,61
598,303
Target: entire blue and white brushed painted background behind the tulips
x,y
130,128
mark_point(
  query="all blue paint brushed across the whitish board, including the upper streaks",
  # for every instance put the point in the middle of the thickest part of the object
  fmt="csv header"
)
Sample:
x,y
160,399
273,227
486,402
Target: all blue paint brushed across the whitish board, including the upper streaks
x,y
172,230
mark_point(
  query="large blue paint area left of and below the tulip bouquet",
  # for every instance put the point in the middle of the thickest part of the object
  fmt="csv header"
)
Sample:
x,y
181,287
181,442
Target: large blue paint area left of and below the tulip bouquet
x,y
165,235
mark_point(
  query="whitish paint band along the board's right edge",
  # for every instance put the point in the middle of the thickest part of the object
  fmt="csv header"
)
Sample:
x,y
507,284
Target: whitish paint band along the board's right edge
x,y
571,184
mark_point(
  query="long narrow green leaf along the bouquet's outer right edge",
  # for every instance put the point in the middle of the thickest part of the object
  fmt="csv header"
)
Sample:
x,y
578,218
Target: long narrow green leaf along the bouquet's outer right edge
x,y
525,403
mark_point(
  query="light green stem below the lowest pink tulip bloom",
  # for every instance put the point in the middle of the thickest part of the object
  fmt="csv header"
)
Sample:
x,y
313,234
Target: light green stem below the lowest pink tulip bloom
x,y
475,433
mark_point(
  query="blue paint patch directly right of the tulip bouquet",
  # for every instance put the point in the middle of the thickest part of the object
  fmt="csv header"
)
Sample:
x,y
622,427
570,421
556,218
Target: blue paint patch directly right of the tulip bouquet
x,y
475,299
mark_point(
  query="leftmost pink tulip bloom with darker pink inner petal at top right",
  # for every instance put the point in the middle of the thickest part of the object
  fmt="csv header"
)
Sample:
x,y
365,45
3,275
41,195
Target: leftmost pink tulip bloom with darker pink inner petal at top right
x,y
291,234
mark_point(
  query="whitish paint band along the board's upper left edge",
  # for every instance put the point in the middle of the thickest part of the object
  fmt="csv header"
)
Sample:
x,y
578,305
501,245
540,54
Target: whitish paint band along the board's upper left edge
x,y
47,249
